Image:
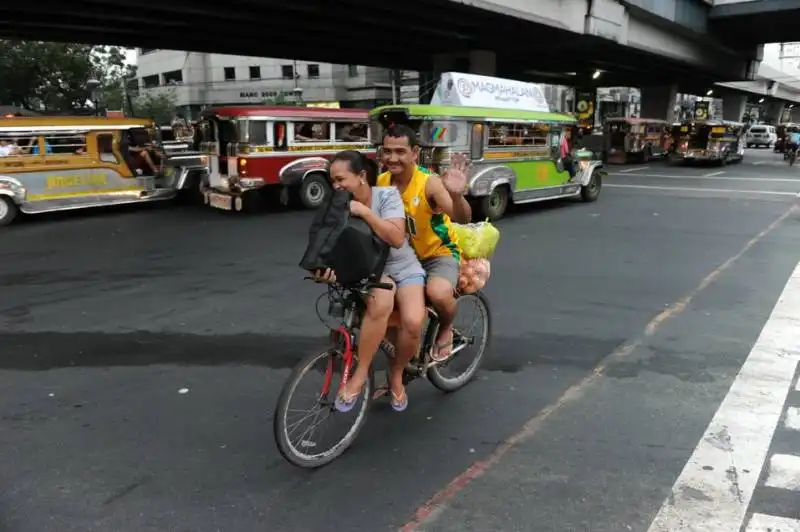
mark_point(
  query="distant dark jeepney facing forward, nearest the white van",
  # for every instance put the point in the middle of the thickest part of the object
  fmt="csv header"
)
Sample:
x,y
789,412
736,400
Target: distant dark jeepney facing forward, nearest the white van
x,y
715,141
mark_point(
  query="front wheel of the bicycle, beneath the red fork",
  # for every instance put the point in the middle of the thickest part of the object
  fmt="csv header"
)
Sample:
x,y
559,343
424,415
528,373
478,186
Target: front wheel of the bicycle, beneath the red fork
x,y
300,446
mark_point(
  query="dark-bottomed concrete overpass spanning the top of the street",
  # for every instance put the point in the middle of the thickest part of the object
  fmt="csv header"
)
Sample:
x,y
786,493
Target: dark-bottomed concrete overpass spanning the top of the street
x,y
635,43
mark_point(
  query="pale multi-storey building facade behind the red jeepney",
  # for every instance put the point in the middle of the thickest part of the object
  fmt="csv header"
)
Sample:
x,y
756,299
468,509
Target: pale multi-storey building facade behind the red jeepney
x,y
199,80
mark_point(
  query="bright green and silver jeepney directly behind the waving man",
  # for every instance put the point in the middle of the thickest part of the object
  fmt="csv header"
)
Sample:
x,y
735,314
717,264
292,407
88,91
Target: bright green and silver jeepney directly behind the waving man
x,y
514,154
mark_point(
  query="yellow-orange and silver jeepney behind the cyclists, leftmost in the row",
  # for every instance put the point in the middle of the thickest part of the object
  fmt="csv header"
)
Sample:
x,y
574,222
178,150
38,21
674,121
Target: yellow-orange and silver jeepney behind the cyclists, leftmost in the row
x,y
64,163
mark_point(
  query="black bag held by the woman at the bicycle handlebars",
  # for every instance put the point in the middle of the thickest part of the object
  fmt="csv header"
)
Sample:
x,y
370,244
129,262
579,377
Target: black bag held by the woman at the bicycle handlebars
x,y
345,244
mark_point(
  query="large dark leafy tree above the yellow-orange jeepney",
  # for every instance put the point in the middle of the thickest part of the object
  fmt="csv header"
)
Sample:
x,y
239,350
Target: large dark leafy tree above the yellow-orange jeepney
x,y
36,74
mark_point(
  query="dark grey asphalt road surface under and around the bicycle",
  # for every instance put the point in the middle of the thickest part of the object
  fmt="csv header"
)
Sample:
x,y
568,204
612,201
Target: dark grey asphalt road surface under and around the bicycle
x,y
601,380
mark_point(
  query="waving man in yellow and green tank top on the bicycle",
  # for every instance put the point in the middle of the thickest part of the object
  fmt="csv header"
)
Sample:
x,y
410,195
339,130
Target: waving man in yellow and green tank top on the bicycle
x,y
430,203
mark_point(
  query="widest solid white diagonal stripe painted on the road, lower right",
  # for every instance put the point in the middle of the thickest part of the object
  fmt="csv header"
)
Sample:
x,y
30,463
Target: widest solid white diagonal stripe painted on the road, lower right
x,y
714,489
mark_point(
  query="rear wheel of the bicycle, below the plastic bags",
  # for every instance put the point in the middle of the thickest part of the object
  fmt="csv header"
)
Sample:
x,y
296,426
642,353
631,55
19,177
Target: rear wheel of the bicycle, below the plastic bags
x,y
471,337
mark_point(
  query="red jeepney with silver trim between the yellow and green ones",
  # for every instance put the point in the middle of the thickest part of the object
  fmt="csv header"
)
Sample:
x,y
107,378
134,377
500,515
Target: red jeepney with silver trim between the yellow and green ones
x,y
270,148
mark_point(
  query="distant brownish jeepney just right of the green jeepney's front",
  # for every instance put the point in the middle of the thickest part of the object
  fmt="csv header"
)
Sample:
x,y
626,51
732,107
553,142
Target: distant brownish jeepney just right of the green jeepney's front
x,y
639,139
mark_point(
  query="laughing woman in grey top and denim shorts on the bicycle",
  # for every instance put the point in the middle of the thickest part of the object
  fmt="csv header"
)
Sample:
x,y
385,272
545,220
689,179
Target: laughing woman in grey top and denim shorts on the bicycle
x,y
382,209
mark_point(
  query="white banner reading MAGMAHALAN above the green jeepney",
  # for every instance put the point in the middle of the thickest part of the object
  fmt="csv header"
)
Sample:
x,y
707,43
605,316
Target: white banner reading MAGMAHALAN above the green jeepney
x,y
471,90
